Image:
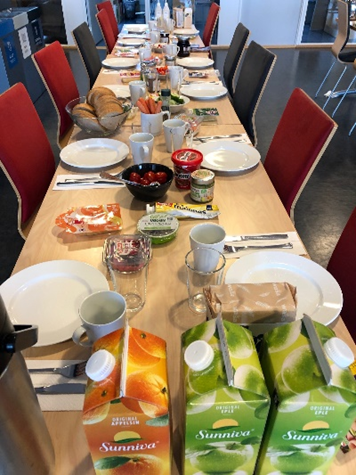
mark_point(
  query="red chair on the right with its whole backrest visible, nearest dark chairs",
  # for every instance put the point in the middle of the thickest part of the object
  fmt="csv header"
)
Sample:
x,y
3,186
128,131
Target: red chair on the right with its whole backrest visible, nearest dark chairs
x,y
302,135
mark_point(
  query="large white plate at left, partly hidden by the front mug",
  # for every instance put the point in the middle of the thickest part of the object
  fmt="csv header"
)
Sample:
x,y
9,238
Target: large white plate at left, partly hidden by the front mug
x,y
49,295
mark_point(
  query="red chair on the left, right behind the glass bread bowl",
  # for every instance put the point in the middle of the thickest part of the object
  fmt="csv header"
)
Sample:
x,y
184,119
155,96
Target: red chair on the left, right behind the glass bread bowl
x,y
58,78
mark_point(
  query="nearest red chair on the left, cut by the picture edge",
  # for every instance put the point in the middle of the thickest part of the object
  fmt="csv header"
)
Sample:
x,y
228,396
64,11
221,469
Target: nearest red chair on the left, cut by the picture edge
x,y
26,155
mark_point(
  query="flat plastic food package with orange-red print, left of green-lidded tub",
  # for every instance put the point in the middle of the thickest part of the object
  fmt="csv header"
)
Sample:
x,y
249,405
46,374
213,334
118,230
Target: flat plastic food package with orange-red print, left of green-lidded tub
x,y
91,219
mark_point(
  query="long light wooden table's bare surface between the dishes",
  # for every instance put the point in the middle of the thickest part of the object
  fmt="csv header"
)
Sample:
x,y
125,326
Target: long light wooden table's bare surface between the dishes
x,y
248,204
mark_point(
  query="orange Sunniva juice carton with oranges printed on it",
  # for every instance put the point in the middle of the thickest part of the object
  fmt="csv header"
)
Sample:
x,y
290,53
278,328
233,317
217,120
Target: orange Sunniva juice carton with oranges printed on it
x,y
125,414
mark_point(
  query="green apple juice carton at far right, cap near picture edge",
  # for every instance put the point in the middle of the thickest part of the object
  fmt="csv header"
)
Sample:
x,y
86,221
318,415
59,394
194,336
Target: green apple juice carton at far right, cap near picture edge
x,y
313,397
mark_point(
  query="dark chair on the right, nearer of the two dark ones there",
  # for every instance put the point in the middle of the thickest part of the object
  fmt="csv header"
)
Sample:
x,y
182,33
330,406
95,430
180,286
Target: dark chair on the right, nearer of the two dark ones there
x,y
255,71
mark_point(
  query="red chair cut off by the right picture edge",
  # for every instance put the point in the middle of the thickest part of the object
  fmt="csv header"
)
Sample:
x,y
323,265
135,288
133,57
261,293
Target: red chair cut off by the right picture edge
x,y
342,266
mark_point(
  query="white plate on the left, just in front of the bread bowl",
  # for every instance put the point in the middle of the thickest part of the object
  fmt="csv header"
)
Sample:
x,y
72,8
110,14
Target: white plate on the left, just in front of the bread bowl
x,y
94,153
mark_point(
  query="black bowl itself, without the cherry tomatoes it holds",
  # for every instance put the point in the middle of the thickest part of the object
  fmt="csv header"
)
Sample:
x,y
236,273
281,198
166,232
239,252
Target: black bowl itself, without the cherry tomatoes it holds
x,y
152,192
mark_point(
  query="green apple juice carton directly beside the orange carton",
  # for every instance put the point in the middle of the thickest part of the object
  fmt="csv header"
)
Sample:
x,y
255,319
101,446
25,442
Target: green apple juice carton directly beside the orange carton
x,y
226,397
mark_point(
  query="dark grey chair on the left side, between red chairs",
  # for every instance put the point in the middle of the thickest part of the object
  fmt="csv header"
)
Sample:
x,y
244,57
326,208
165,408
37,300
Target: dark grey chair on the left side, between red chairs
x,y
88,51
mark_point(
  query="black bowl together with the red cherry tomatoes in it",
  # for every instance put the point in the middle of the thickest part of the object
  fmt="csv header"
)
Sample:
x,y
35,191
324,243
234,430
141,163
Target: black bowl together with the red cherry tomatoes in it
x,y
148,181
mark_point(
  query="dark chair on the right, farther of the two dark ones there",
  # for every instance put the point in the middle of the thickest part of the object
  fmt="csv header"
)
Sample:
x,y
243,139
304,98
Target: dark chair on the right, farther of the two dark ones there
x,y
234,56
